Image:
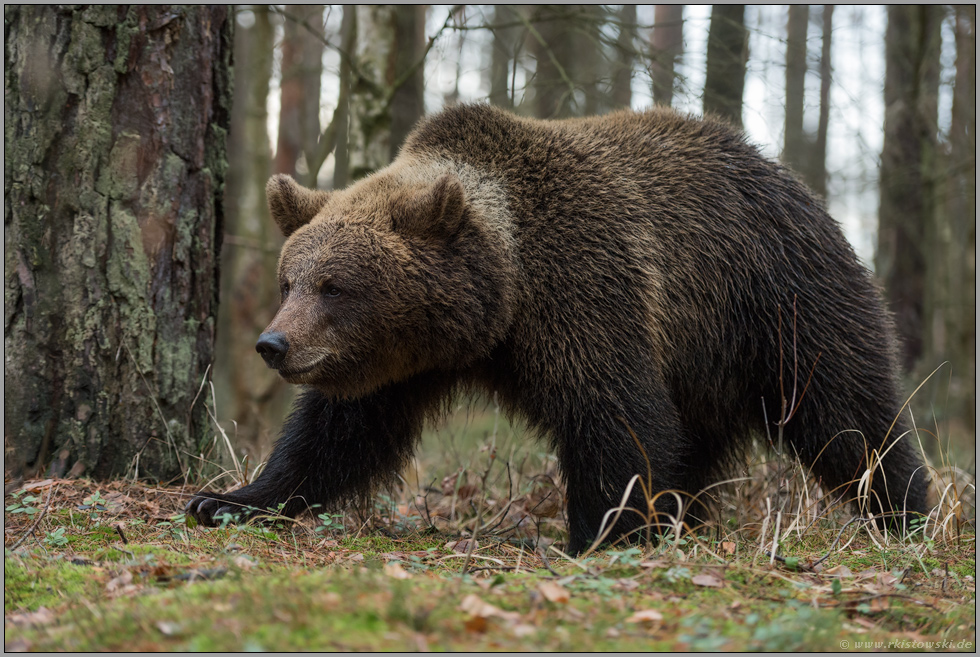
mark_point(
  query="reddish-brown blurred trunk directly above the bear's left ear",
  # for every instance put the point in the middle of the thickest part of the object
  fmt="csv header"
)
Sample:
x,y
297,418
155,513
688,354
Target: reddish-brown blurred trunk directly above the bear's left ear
x,y
299,109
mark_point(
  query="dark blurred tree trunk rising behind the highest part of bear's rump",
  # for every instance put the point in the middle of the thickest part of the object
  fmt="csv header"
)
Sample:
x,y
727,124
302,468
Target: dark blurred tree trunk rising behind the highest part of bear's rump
x,y
728,51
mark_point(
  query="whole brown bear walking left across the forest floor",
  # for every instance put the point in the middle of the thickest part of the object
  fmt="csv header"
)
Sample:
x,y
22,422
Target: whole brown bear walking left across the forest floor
x,y
644,288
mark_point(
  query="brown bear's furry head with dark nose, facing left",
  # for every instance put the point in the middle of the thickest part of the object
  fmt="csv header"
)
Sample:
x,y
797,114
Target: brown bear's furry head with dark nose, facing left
x,y
387,279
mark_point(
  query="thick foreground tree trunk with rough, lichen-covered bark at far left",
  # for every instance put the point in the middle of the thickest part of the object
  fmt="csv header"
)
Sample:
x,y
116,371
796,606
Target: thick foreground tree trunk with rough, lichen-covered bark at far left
x,y
115,120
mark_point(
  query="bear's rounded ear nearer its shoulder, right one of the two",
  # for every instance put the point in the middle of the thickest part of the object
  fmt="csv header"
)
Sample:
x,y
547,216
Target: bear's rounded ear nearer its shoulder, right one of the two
x,y
436,211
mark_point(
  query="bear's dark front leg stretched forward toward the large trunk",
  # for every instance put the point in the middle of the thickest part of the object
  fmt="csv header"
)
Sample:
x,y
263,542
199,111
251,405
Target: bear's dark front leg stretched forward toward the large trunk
x,y
330,452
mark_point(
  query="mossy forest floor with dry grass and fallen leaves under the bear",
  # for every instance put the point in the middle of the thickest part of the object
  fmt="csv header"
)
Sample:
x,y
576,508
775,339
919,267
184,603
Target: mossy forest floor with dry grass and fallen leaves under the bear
x,y
118,567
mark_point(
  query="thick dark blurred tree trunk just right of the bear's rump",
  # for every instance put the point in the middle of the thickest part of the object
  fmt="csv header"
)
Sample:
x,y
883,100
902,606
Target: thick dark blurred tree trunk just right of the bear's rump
x,y
908,160
